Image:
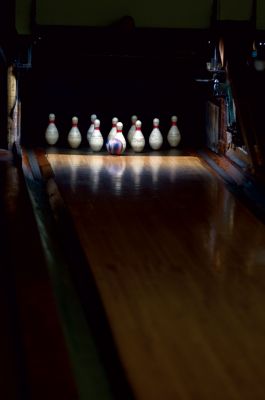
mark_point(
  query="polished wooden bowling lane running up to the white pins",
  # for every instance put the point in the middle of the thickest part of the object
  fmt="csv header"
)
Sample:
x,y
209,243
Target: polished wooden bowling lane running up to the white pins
x,y
180,267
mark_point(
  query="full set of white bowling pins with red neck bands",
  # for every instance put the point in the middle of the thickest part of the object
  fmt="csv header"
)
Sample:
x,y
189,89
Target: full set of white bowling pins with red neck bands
x,y
135,136
